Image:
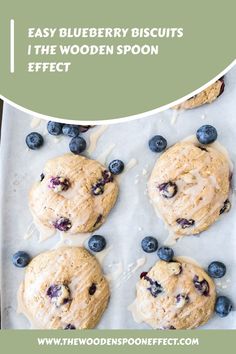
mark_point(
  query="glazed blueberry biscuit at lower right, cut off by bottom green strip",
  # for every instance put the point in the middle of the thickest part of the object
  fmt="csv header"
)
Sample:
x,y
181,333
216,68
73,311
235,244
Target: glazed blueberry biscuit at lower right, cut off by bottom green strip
x,y
174,295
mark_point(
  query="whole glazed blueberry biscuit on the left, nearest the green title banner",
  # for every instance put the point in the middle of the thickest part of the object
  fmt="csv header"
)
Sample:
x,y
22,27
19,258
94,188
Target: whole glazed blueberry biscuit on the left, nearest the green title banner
x,y
75,194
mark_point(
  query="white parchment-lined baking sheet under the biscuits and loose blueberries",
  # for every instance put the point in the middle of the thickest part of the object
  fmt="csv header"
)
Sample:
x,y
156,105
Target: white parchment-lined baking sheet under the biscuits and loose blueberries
x,y
131,219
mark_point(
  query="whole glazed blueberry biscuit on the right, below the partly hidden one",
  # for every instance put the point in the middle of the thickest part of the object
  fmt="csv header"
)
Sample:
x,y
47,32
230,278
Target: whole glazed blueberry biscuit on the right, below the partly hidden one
x,y
189,187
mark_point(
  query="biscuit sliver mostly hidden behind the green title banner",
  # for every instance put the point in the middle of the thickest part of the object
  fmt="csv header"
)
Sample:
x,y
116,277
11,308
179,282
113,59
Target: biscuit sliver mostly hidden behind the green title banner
x,y
208,95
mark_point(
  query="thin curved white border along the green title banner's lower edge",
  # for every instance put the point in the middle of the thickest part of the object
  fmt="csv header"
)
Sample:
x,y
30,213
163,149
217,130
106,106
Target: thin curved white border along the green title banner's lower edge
x,y
122,119
